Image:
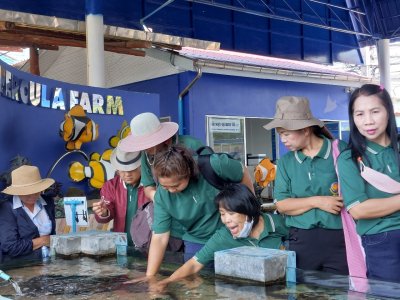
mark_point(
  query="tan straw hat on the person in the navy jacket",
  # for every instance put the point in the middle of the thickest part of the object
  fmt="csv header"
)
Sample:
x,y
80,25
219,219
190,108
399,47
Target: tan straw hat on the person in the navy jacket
x,y
26,180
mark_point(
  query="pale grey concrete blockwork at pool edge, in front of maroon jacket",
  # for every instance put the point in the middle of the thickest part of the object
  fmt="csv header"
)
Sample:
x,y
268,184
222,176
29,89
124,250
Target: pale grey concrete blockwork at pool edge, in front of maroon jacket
x,y
86,242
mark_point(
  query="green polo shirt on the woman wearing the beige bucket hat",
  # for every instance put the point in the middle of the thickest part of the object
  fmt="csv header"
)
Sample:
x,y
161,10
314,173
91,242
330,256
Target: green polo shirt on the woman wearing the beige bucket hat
x,y
300,176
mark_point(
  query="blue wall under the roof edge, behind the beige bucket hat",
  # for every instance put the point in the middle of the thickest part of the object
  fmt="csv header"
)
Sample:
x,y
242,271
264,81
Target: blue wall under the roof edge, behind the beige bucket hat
x,y
236,96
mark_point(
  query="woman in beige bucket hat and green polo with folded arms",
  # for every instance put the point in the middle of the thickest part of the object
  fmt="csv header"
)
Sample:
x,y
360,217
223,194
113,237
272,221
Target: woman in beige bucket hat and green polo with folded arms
x,y
306,188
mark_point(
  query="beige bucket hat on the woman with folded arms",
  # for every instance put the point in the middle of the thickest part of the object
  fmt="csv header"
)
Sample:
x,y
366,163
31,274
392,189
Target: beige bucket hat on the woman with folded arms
x,y
293,113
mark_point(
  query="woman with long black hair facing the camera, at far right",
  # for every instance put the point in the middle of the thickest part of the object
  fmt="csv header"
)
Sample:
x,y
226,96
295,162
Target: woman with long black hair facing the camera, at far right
x,y
374,139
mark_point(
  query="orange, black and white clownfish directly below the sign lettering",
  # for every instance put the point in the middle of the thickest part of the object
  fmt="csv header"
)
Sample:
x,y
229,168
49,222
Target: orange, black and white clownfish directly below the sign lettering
x,y
77,128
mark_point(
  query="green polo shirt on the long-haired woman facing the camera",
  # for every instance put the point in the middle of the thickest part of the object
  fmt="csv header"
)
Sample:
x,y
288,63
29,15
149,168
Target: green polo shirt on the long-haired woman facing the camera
x,y
356,190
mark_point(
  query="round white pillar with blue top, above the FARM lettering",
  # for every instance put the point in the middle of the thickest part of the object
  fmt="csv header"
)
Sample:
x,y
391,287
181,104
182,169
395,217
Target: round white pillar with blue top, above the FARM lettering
x,y
95,43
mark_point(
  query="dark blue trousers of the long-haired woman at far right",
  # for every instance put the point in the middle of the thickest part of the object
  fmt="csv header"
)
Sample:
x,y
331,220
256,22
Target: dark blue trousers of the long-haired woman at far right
x,y
382,251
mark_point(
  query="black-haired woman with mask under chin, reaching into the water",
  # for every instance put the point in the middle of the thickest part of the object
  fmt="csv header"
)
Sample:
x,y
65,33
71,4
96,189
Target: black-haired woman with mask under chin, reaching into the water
x,y
245,225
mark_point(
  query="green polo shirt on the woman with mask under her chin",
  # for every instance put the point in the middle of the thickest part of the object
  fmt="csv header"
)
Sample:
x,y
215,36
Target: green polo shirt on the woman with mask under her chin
x,y
272,237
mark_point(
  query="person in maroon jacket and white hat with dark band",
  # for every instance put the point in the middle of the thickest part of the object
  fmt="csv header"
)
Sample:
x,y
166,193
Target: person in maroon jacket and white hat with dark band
x,y
116,192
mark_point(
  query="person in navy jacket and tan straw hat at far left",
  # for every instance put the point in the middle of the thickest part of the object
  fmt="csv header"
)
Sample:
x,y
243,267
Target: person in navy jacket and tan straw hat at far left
x,y
27,219
